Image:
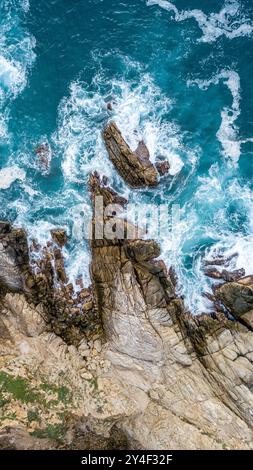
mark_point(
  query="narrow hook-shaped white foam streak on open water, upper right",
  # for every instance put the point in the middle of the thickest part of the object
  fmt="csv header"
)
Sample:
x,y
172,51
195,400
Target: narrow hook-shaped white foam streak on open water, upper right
x,y
228,132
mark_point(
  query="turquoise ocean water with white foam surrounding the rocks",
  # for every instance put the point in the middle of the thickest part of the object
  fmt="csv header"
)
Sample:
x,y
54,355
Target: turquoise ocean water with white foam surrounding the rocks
x,y
179,75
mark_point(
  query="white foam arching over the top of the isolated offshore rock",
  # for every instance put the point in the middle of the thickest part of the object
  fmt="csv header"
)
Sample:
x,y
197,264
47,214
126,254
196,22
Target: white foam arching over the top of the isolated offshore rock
x,y
138,110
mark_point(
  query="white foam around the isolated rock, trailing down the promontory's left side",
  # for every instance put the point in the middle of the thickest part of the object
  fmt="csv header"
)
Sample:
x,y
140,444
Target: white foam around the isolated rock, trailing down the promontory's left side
x,y
141,111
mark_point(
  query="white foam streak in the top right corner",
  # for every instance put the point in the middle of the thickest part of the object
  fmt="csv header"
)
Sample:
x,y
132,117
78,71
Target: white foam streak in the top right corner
x,y
229,21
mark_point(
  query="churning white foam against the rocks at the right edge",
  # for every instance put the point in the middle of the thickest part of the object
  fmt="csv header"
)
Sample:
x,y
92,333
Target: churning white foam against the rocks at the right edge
x,y
204,220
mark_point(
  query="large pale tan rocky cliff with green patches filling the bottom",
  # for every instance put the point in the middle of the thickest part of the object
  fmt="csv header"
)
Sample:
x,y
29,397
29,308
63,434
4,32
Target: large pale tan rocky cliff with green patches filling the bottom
x,y
154,375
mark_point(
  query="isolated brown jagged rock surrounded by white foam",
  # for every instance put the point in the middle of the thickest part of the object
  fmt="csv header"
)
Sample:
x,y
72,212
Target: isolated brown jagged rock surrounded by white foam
x,y
134,167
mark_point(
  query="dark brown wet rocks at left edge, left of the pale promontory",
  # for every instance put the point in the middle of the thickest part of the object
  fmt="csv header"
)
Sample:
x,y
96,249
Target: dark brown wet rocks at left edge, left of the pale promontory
x,y
39,273
